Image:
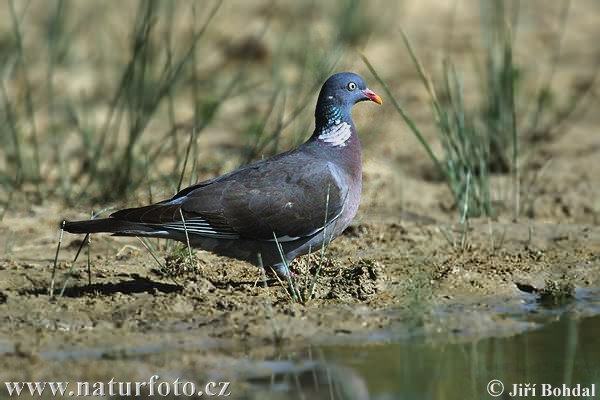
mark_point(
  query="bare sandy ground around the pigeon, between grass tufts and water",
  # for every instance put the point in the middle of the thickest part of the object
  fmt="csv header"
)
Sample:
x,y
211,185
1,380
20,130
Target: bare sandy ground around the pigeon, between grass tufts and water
x,y
403,256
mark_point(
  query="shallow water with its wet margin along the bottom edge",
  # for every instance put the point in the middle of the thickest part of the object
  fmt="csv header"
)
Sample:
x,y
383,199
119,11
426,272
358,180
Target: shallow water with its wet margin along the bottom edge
x,y
453,353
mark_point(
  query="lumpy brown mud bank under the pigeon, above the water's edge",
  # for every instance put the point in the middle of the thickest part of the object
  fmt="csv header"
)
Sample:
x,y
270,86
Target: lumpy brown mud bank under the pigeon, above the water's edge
x,y
375,280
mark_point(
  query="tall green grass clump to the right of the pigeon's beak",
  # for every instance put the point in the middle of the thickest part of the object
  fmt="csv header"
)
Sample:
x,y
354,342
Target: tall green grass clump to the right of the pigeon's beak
x,y
488,138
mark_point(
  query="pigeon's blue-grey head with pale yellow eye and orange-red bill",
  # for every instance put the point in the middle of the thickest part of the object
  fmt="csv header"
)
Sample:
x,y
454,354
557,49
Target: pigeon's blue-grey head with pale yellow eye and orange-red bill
x,y
339,93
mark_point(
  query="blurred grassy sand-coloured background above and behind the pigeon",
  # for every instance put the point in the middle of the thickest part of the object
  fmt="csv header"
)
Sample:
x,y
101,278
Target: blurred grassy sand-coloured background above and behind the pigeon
x,y
107,105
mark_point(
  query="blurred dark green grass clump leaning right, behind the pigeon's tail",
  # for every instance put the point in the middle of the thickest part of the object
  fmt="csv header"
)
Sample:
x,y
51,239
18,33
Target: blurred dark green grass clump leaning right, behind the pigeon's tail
x,y
147,80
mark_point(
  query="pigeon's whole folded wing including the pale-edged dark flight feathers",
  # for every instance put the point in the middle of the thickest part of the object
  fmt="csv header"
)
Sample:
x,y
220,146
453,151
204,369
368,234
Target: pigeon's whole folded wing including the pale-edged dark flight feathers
x,y
289,197
